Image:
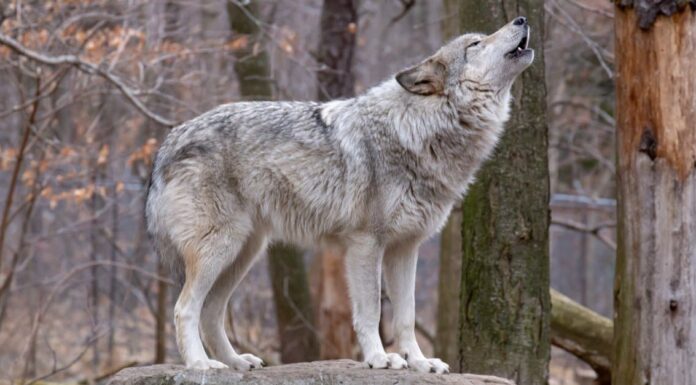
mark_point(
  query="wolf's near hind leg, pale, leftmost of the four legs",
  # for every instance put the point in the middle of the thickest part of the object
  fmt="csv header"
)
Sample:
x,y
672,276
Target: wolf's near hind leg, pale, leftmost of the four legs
x,y
205,260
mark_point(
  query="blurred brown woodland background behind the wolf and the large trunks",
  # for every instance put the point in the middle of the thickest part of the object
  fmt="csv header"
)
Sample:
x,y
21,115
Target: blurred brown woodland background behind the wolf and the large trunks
x,y
89,88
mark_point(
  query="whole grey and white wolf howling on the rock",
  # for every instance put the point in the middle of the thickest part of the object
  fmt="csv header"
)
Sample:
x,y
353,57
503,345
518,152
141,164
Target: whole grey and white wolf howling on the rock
x,y
372,176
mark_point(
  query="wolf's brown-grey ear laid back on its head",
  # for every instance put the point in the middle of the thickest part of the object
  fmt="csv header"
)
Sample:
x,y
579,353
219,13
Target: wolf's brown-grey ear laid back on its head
x,y
426,78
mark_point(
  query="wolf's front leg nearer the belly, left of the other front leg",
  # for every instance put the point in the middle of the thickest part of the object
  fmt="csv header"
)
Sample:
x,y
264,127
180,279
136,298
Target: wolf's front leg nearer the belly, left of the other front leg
x,y
363,267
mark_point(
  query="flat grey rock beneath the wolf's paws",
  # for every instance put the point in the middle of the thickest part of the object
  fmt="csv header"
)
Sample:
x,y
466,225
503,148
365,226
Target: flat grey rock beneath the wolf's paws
x,y
343,372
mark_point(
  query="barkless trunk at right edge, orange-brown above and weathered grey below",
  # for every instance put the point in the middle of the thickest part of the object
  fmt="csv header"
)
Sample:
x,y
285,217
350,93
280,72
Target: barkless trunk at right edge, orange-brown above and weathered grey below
x,y
655,290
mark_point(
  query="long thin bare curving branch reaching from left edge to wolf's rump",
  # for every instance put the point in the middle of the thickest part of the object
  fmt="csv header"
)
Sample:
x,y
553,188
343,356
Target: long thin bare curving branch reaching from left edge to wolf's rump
x,y
90,69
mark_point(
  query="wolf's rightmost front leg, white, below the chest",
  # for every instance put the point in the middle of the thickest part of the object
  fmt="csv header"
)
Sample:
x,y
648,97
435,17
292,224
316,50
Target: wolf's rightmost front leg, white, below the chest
x,y
400,275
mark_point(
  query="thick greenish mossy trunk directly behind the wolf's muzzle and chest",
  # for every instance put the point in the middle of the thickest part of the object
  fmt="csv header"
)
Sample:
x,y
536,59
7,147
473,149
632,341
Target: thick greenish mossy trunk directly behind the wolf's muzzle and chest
x,y
505,268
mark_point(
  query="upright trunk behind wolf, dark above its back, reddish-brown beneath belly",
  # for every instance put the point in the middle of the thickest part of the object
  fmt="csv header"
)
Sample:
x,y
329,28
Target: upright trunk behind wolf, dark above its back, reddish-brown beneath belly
x,y
335,79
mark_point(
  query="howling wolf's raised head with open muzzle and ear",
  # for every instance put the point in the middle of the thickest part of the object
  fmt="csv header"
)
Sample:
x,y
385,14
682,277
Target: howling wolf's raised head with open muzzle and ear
x,y
491,62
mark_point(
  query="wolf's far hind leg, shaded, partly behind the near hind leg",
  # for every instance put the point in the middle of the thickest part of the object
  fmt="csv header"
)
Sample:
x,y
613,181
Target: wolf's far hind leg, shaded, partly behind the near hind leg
x,y
214,308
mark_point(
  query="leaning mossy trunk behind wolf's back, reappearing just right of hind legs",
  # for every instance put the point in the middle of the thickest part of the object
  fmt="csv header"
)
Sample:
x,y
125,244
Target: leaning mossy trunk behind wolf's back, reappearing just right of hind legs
x,y
298,337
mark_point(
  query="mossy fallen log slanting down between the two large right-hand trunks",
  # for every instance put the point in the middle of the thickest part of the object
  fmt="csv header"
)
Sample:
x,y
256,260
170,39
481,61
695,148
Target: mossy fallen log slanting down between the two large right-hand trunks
x,y
583,333
